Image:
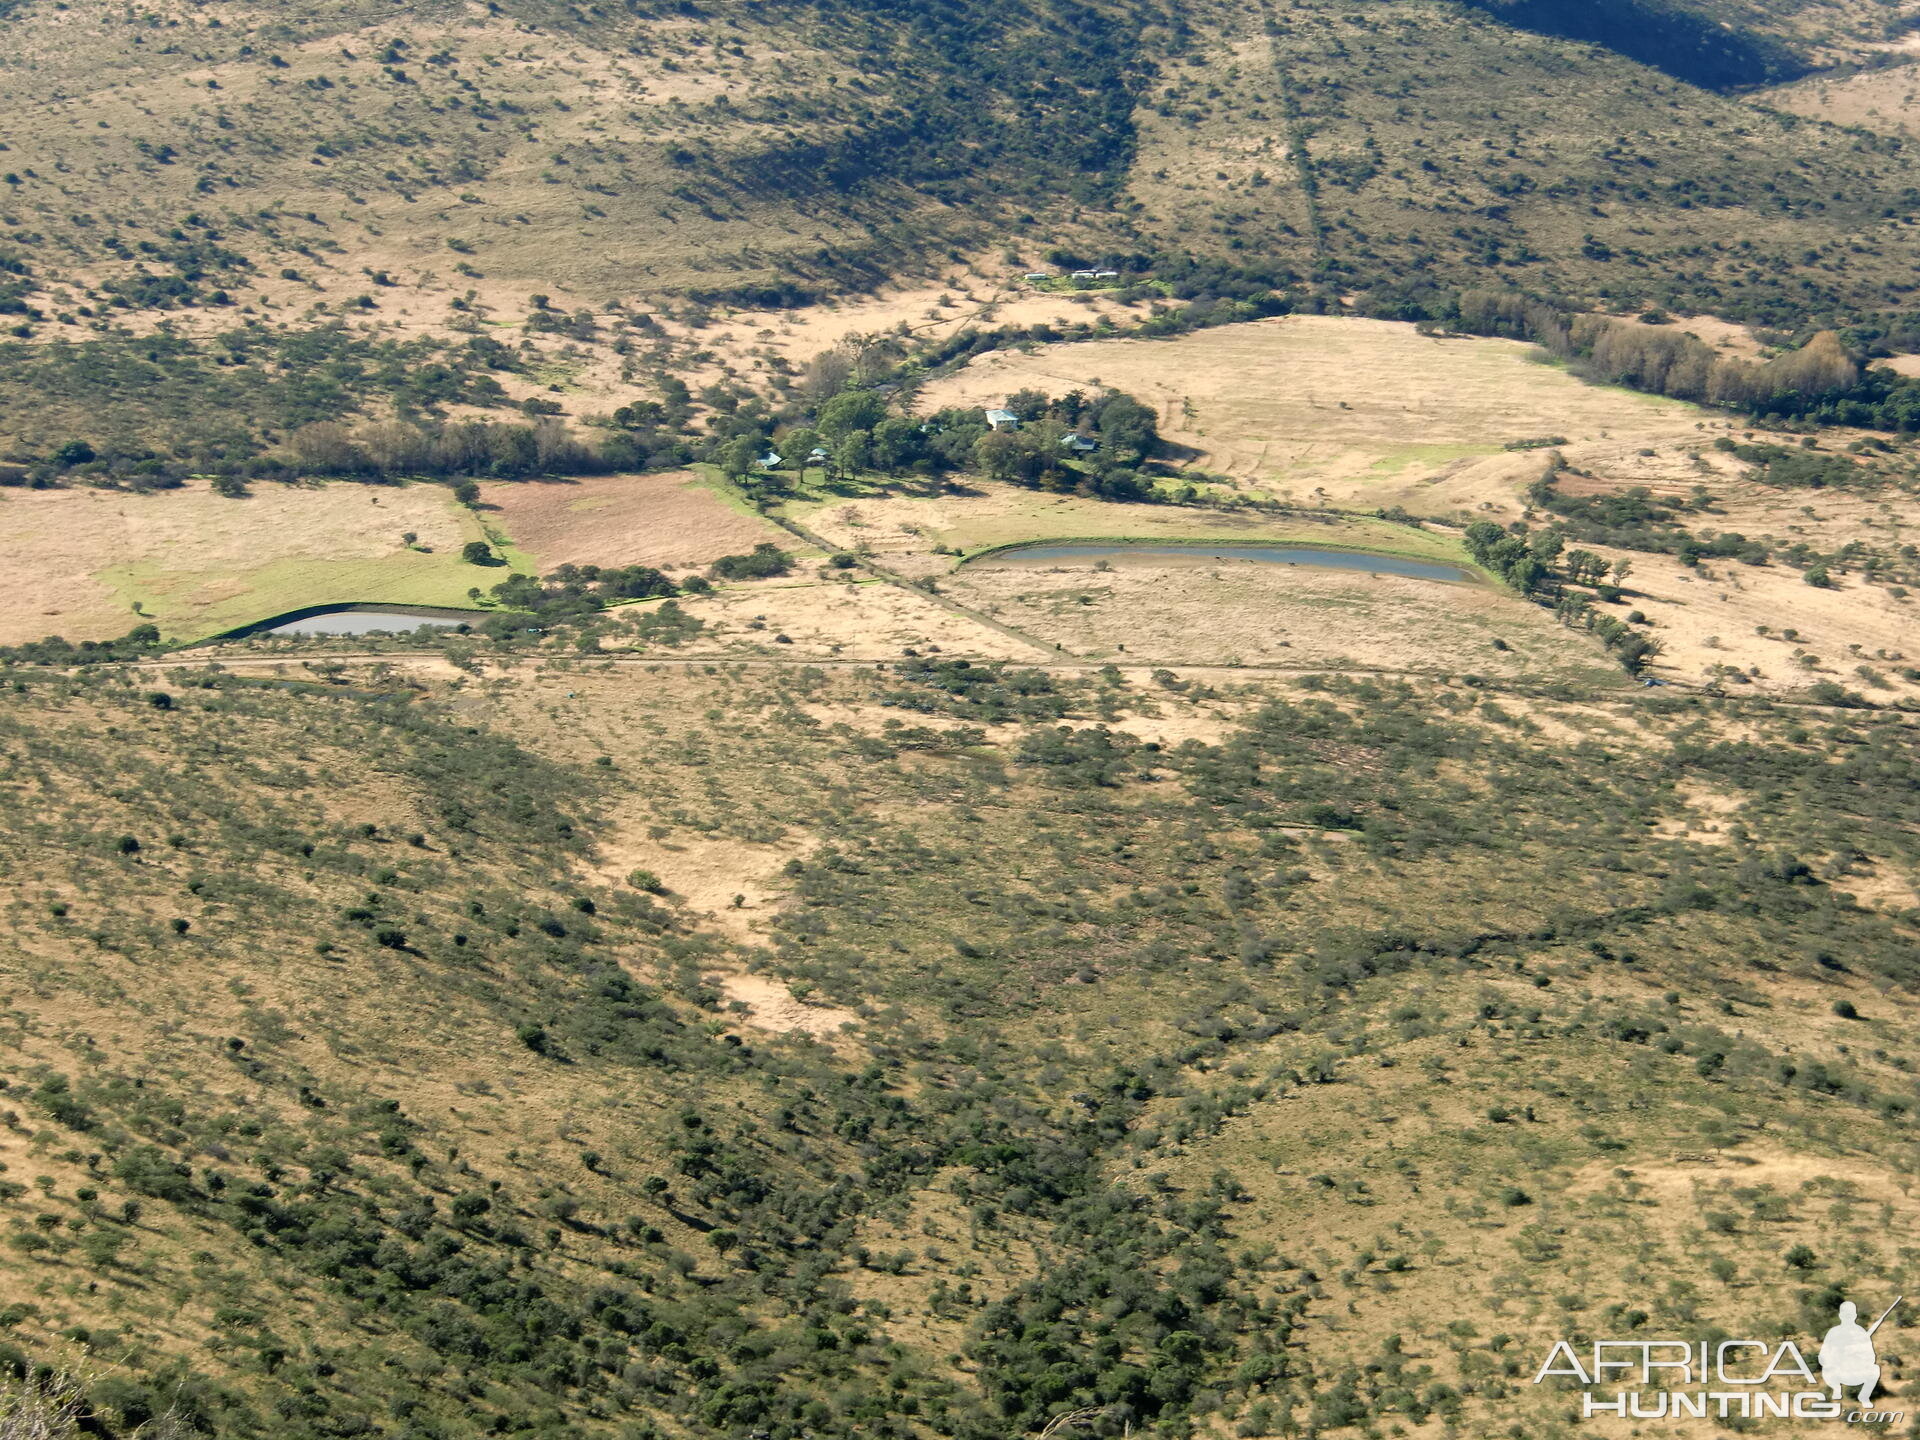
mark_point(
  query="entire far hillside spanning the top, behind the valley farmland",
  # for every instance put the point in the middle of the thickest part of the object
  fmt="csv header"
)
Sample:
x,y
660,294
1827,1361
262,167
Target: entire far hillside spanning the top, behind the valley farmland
x,y
226,222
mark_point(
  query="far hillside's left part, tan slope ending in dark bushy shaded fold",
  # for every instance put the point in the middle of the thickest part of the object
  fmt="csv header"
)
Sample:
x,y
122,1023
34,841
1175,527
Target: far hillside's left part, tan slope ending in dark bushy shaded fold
x,y
594,153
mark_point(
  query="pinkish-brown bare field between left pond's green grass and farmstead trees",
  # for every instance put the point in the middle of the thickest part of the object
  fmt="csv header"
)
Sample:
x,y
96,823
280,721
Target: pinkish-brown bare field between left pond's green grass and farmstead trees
x,y
625,519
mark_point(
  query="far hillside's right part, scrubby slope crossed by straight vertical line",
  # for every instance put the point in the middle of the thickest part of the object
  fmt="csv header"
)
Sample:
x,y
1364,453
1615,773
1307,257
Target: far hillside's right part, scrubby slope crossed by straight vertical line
x,y
1420,145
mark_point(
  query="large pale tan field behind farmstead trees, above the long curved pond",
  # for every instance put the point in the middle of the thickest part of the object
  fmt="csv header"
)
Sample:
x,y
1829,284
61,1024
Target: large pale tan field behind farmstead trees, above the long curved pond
x,y
1349,412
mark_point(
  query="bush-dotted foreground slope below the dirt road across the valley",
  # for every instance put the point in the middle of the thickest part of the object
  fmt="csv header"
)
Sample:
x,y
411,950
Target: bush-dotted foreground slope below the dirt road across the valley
x,y
1310,1065
